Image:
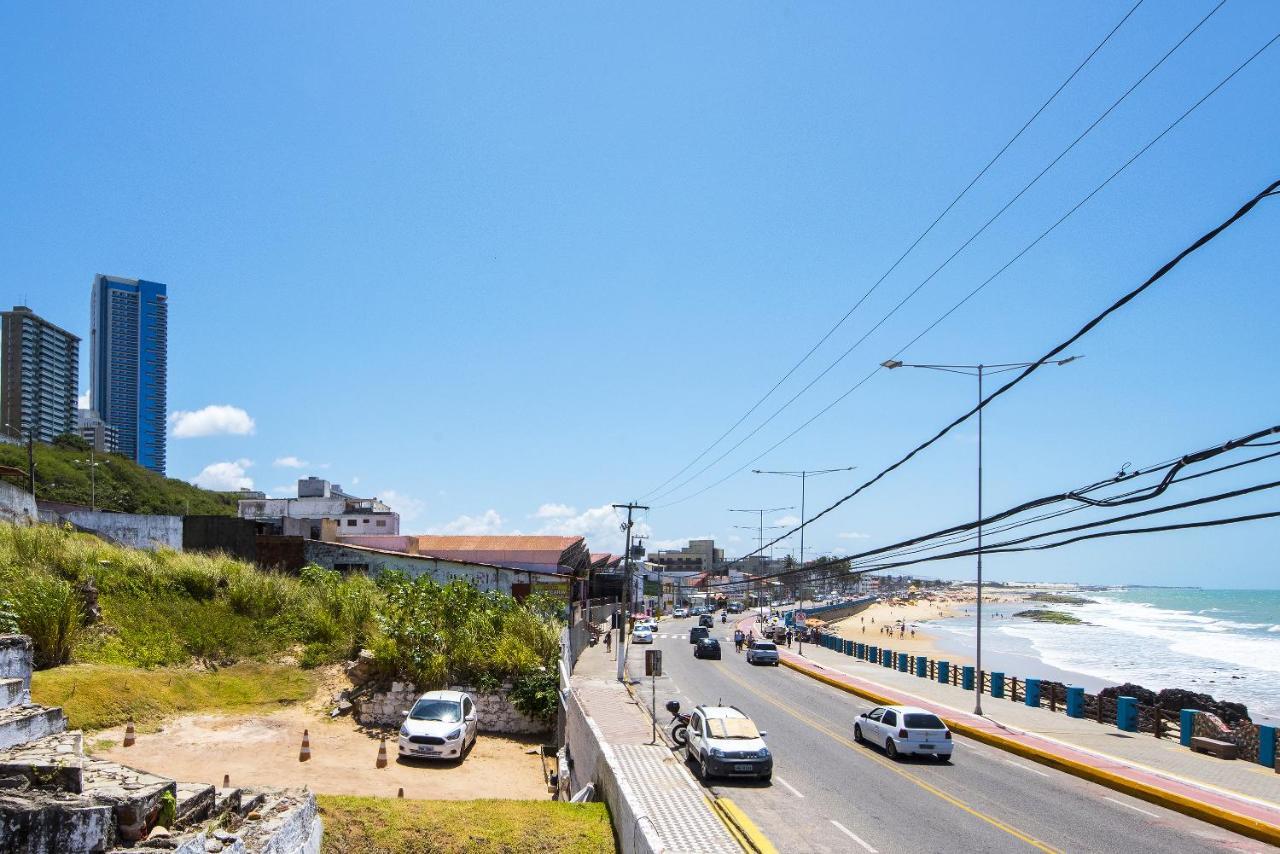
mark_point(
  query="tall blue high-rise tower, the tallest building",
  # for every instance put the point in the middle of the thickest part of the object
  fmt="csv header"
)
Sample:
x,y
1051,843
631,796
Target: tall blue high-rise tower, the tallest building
x,y
130,364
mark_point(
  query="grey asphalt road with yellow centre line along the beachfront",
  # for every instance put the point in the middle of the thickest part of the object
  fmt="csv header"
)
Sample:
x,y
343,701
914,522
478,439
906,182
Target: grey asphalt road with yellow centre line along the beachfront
x,y
830,794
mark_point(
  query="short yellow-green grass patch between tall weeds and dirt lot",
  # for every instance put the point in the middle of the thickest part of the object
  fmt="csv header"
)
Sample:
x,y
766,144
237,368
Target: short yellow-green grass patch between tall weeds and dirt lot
x,y
97,697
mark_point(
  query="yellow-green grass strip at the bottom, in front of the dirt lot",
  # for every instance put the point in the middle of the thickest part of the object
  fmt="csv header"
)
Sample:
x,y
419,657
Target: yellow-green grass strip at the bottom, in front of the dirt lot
x,y
396,826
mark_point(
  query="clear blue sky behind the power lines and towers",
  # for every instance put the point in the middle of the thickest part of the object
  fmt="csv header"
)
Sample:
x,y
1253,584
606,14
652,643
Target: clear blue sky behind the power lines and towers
x,y
504,266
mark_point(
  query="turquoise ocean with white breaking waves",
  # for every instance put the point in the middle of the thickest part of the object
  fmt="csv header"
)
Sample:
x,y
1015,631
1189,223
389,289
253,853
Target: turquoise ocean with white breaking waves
x,y
1226,643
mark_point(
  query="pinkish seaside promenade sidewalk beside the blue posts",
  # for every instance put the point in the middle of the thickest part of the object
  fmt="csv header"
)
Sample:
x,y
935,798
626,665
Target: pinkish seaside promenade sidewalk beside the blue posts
x,y
1244,788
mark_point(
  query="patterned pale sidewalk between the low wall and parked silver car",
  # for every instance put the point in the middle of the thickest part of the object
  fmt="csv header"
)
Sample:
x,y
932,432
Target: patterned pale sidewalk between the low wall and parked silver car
x,y
657,784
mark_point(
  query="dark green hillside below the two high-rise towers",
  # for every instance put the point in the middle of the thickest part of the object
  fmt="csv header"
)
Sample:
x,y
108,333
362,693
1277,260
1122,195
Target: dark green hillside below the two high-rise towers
x,y
122,485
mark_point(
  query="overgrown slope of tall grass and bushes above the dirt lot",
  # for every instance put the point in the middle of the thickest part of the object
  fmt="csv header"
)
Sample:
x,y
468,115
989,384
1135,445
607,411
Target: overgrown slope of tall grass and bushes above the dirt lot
x,y
166,609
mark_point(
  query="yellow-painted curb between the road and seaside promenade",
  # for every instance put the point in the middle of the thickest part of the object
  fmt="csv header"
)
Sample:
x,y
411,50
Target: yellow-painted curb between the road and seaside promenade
x,y
1226,819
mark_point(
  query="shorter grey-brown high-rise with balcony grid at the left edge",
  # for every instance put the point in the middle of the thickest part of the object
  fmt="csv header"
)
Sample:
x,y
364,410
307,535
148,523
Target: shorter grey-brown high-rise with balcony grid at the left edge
x,y
39,375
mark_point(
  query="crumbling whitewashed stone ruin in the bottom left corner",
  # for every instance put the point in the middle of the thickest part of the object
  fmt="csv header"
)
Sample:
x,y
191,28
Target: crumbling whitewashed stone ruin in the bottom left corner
x,y
54,800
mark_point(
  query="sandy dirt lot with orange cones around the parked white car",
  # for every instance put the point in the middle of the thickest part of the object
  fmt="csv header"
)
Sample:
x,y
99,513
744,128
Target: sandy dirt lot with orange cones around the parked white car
x,y
263,750
